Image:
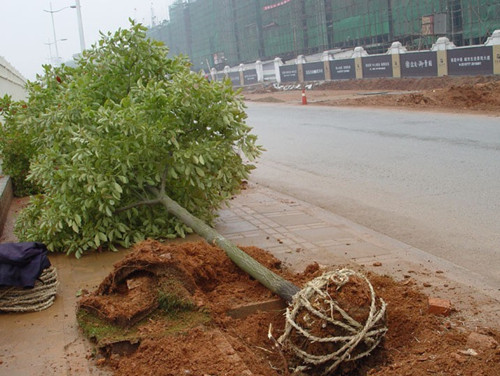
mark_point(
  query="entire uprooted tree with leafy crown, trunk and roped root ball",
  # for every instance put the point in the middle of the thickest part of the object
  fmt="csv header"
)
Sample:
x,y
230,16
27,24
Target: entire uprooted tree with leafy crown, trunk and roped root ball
x,y
130,144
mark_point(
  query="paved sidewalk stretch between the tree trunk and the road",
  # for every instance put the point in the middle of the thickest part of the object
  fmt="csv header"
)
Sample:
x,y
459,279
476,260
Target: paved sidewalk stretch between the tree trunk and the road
x,y
299,233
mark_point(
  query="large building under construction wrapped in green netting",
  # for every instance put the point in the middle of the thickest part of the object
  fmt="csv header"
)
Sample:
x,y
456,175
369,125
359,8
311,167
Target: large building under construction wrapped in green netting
x,y
216,33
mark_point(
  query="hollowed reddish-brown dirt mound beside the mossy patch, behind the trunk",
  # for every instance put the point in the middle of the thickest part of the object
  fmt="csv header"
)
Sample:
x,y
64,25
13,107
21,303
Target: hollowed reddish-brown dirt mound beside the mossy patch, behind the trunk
x,y
196,272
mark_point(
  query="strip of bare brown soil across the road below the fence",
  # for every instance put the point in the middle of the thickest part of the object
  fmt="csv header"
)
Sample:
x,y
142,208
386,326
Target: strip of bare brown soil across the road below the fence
x,y
463,94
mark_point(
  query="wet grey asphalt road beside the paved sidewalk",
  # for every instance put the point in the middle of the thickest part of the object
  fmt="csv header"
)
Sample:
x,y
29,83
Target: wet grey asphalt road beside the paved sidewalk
x,y
431,180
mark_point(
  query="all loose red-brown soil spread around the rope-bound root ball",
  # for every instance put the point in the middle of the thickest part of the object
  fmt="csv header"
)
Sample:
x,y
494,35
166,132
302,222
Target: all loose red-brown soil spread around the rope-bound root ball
x,y
417,343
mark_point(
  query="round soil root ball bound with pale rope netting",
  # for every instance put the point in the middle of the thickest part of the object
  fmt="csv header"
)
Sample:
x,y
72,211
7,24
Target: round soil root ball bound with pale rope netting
x,y
336,318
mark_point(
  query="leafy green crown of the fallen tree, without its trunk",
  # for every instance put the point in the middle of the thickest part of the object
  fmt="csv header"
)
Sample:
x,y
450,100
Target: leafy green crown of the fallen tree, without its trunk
x,y
119,123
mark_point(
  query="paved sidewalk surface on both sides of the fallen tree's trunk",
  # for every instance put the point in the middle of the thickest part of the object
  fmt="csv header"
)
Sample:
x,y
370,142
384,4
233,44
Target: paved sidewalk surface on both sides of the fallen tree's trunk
x,y
49,343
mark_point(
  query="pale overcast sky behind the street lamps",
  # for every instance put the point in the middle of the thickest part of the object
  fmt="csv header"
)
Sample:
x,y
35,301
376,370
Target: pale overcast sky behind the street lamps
x,y
27,38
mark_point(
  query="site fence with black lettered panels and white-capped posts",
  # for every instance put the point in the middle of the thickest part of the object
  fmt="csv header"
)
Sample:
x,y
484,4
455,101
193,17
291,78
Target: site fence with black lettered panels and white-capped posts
x,y
443,59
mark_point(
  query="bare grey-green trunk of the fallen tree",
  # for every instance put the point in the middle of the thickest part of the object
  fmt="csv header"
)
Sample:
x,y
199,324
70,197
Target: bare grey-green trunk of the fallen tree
x,y
272,281
